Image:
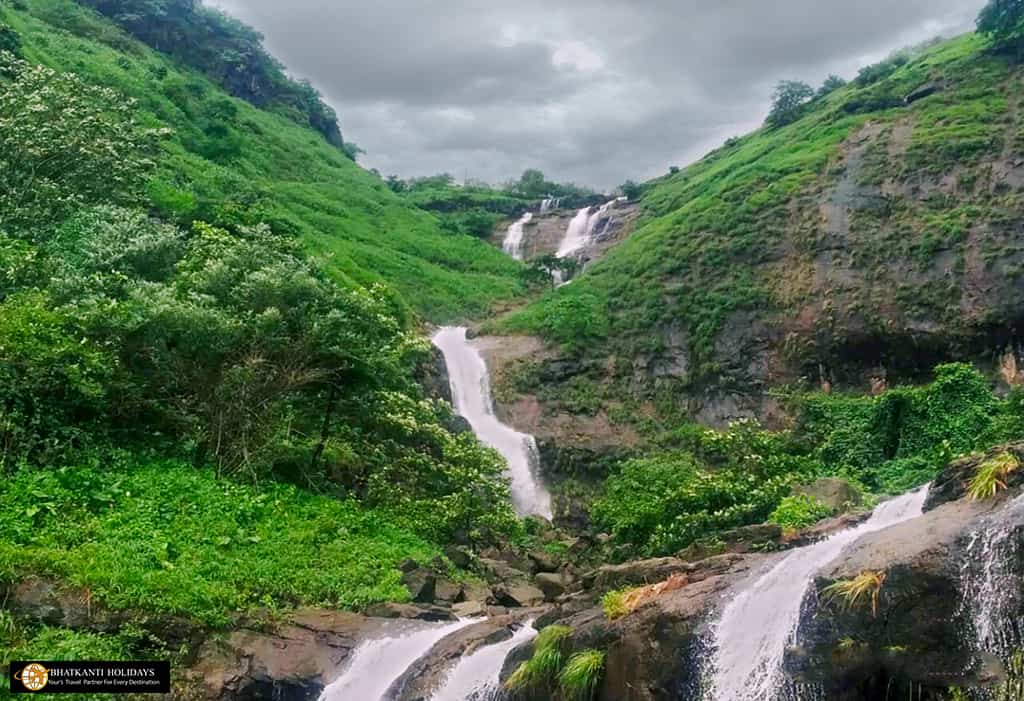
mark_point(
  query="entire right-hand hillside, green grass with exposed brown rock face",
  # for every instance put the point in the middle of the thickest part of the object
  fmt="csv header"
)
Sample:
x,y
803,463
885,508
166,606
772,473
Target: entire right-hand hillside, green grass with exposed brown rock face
x,y
880,230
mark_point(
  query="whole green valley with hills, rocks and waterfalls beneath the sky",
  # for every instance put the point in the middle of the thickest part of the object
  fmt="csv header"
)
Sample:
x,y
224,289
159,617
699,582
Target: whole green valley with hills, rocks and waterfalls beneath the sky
x,y
748,431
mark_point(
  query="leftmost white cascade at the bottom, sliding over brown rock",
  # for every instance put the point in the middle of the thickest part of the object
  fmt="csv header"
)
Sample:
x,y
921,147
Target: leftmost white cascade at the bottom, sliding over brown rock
x,y
377,664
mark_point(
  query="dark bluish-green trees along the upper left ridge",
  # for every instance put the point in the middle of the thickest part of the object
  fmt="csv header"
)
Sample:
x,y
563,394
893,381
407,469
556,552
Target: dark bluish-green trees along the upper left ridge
x,y
228,52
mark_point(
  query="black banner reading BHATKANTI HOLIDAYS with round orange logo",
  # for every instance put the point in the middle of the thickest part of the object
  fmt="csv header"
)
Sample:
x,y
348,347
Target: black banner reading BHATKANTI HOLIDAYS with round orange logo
x,y
91,678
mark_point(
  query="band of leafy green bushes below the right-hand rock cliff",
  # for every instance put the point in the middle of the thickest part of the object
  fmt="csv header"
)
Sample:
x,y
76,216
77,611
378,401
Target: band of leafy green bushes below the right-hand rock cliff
x,y
710,481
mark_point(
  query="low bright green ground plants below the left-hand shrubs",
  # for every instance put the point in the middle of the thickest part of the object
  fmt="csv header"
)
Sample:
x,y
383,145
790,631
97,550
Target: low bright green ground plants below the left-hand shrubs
x,y
162,537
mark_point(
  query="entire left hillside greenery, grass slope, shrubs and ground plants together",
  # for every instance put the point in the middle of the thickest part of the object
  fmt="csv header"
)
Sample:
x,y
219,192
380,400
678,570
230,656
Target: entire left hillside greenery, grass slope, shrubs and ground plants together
x,y
209,341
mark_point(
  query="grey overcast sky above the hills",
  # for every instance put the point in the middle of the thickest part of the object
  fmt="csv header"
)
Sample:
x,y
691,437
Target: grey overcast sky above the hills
x,y
591,92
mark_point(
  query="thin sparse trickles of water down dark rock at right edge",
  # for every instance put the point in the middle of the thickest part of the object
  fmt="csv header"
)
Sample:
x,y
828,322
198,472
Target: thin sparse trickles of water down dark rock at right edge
x,y
992,581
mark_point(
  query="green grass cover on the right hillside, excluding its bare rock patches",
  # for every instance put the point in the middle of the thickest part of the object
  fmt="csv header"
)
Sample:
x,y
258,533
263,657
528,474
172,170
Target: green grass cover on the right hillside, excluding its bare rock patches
x,y
710,242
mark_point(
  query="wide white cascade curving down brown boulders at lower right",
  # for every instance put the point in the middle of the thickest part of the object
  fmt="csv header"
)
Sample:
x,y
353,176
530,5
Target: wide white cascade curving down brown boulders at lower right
x,y
759,623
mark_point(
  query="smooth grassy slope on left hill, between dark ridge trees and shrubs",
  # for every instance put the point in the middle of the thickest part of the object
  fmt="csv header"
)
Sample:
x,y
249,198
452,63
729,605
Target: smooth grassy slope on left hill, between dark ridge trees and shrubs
x,y
284,172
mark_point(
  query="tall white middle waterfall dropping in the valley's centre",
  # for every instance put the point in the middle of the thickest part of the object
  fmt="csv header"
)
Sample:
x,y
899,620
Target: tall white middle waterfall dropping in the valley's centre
x,y
472,395
